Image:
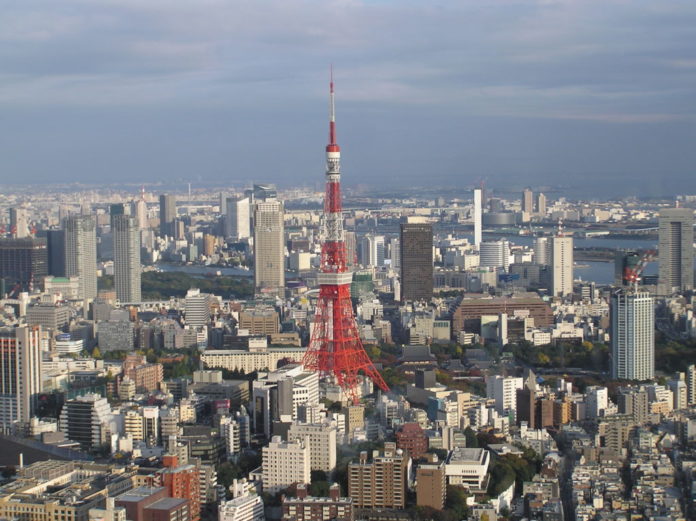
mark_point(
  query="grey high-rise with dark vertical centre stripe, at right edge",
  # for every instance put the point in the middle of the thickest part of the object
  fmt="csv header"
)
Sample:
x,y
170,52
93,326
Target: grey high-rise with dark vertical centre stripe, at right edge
x,y
676,250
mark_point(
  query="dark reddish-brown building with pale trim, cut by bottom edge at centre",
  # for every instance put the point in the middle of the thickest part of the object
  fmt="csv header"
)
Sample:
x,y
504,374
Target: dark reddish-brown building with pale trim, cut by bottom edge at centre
x,y
308,508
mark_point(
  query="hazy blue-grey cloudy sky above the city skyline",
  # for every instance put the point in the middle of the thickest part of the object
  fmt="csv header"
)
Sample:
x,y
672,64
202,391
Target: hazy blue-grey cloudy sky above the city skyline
x,y
594,96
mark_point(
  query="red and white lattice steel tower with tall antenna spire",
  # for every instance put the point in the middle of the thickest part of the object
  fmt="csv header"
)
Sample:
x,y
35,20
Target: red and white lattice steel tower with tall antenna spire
x,y
335,349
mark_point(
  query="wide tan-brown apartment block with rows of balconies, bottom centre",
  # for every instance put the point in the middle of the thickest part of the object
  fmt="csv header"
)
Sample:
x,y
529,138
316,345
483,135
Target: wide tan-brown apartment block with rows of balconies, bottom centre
x,y
380,483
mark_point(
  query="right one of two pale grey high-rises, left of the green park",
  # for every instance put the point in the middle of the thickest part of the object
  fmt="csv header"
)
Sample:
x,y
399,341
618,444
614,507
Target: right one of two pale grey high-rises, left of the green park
x,y
127,270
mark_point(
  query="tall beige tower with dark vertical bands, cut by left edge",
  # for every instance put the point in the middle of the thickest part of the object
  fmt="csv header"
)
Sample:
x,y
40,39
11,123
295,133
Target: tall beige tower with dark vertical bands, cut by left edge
x,y
20,374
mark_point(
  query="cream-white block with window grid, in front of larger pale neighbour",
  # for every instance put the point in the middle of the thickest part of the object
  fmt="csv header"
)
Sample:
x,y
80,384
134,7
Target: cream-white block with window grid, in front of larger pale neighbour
x,y
284,464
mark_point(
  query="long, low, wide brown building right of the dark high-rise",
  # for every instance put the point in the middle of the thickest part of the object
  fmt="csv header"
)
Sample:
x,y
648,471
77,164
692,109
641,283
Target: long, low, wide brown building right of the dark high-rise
x,y
467,315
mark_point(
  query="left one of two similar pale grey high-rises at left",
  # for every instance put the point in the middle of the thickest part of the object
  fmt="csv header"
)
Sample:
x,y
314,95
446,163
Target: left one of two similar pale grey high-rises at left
x,y
81,253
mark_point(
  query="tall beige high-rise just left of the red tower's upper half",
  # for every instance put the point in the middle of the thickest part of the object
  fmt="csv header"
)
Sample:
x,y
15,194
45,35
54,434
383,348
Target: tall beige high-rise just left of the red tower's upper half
x,y
269,245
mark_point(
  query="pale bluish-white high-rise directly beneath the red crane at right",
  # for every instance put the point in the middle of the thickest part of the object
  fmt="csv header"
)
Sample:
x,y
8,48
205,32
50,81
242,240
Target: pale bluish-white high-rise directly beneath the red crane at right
x,y
632,335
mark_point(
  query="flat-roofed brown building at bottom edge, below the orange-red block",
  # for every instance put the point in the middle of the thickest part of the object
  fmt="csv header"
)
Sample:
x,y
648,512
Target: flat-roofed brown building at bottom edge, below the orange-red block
x,y
153,504
